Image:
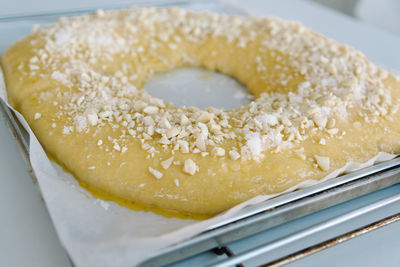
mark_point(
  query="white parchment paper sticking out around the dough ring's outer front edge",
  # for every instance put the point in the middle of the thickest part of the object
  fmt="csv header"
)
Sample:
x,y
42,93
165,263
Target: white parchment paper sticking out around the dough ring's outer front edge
x,y
99,233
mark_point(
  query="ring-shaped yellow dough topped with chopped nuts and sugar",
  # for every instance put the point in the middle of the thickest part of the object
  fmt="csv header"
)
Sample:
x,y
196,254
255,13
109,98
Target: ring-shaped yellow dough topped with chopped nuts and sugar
x,y
318,104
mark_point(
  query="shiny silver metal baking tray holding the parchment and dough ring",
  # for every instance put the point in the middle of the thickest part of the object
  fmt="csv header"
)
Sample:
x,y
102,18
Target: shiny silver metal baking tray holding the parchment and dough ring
x,y
256,218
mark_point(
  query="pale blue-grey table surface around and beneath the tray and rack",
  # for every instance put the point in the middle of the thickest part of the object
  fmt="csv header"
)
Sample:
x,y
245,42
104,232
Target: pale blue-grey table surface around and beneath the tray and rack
x,y
27,237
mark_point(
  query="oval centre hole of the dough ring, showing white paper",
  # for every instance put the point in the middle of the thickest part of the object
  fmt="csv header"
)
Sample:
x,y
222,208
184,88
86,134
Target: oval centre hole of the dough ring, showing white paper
x,y
195,86
